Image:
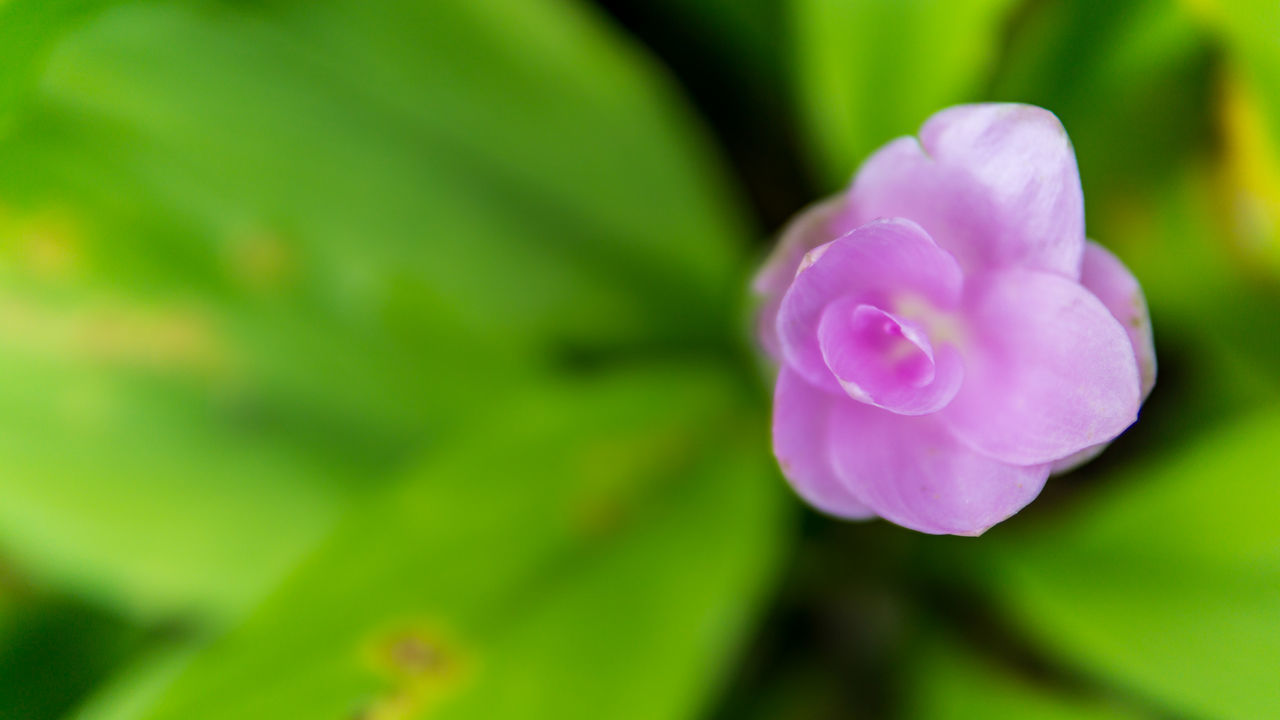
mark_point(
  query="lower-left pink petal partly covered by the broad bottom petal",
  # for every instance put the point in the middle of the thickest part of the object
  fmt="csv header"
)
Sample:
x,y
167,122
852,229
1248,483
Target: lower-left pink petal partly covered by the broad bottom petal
x,y
801,418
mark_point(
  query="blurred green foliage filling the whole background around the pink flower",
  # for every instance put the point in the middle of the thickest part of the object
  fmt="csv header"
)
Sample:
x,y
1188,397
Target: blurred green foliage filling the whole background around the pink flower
x,y
381,361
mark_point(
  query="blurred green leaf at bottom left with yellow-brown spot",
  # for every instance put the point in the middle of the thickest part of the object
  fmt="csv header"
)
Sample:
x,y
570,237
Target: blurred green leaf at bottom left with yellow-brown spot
x,y
620,530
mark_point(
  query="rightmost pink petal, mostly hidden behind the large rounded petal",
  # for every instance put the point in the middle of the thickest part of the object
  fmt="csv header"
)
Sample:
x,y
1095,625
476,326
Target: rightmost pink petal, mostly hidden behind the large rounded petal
x,y
1104,275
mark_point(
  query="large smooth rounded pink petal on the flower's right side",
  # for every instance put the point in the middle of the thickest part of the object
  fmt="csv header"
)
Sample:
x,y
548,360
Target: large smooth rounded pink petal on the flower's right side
x,y
1049,372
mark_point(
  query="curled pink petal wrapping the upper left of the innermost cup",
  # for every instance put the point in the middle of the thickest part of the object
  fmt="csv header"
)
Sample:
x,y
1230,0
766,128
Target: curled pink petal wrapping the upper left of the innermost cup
x,y
879,265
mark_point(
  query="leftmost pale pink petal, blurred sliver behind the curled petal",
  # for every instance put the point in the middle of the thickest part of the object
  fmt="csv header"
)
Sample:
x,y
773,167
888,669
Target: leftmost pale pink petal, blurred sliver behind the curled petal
x,y
811,229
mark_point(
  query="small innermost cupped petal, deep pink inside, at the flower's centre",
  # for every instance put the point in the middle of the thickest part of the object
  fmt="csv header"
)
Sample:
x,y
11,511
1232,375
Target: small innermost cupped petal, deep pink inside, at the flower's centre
x,y
885,361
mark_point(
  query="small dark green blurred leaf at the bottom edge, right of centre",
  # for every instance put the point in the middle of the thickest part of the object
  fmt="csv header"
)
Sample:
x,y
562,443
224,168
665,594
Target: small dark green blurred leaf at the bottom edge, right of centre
x,y
950,682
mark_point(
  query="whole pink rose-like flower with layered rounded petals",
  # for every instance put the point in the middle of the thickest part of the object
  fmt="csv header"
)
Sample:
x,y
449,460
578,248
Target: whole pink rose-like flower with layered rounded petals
x,y
945,334
